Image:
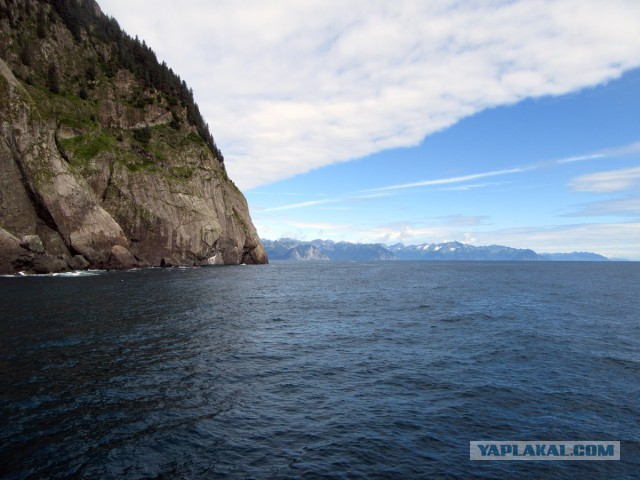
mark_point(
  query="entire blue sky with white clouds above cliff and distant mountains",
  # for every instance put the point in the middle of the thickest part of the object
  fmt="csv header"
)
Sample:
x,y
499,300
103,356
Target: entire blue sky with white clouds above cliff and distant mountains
x,y
486,122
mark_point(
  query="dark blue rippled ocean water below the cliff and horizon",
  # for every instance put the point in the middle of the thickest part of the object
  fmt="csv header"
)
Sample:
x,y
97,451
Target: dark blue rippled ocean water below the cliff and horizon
x,y
318,370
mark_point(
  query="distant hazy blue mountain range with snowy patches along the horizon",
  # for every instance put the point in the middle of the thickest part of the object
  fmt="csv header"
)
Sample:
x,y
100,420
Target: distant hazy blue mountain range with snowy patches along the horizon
x,y
327,250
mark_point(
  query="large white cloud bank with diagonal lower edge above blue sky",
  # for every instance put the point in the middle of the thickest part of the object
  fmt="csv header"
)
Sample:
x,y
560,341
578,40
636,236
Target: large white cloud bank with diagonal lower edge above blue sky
x,y
290,86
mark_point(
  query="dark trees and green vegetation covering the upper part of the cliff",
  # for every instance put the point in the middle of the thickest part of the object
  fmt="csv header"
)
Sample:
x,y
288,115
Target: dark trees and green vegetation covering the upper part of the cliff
x,y
35,27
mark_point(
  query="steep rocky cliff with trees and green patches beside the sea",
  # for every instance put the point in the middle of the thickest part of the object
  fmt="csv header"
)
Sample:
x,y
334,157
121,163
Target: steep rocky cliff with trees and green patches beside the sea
x,y
105,163
